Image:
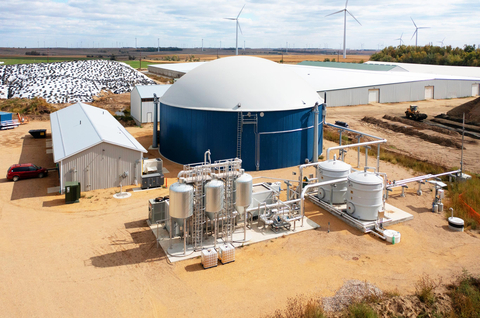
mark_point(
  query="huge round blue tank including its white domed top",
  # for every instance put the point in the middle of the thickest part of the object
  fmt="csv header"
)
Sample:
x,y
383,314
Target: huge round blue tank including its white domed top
x,y
240,106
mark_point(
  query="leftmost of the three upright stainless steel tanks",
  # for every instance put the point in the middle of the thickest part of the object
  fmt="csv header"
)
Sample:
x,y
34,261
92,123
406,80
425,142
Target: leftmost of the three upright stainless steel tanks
x,y
181,200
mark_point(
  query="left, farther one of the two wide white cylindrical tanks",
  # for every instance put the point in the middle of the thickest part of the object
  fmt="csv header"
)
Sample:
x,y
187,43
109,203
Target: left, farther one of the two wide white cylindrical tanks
x,y
331,170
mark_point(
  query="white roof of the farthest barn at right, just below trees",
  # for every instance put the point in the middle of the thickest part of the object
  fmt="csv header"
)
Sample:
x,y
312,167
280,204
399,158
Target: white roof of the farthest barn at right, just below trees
x,y
464,71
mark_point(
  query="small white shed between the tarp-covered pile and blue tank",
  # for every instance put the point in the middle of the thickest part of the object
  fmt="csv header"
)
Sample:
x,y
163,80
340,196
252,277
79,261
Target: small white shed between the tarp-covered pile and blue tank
x,y
141,102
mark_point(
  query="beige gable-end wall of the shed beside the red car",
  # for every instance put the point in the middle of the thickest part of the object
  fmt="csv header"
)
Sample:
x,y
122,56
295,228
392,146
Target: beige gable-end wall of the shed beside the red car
x,y
100,167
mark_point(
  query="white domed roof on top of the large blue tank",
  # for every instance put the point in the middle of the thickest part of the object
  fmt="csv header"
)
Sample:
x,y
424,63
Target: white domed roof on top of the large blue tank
x,y
253,83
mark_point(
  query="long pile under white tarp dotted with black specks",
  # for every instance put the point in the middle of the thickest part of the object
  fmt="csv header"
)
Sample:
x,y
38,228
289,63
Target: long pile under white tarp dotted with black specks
x,y
68,82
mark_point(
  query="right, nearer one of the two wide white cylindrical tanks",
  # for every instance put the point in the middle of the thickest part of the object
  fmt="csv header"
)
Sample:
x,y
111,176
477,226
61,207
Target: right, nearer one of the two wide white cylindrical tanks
x,y
365,195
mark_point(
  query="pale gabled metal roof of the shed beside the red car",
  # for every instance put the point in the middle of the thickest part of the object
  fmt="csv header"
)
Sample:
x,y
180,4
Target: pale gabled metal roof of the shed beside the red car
x,y
81,126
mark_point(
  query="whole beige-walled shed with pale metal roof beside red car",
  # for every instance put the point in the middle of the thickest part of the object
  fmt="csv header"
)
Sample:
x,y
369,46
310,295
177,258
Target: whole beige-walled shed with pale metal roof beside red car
x,y
90,146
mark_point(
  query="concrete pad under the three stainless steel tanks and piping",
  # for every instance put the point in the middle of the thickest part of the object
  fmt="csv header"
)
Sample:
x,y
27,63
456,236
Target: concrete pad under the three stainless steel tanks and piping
x,y
175,252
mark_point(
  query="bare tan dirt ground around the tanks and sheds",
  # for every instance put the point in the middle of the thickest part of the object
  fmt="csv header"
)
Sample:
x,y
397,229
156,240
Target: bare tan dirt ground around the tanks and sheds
x,y
98,258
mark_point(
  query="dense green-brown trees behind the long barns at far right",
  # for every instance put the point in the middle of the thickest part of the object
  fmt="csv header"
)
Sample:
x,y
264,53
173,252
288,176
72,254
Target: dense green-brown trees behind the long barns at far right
x,y
468,56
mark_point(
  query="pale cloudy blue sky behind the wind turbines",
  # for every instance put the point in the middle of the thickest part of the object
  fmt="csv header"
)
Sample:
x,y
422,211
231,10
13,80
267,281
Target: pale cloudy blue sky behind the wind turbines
x,y
265,23
